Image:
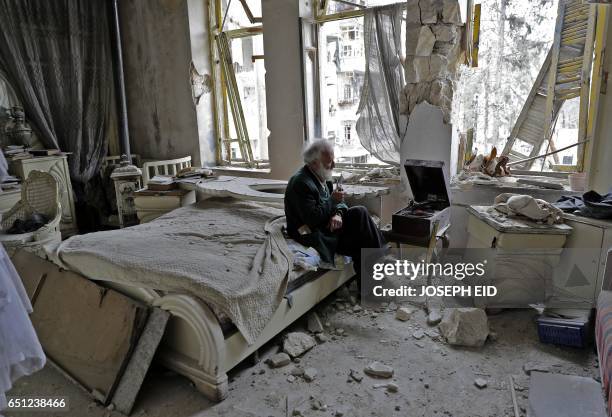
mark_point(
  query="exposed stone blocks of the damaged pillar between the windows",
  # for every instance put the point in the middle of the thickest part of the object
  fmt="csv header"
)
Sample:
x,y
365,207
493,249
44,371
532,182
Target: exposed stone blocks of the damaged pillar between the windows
x,y
433,50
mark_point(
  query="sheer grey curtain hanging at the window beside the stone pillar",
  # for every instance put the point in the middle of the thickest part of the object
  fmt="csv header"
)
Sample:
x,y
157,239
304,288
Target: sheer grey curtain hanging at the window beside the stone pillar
x,y
378,126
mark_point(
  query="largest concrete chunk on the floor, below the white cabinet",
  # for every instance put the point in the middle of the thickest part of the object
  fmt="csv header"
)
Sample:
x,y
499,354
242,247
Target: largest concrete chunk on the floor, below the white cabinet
x,y
465,326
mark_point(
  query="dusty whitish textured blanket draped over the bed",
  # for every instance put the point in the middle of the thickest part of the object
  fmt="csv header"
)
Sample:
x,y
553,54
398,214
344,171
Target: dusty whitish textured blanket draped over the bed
x,y
229,253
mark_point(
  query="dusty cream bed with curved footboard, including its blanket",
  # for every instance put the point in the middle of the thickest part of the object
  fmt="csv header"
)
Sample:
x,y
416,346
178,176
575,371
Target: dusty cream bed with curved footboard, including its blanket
x,y
205,339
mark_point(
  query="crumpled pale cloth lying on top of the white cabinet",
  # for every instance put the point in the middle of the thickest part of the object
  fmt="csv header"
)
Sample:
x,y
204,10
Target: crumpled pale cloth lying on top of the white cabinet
x,y
528,206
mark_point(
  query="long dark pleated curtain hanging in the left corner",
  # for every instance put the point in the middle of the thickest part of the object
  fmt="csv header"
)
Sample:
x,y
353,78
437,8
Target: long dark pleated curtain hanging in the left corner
x,y
56,55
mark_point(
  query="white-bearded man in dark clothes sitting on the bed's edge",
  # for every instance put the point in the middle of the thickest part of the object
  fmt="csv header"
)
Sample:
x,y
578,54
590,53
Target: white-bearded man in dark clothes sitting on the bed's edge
x,y
317,215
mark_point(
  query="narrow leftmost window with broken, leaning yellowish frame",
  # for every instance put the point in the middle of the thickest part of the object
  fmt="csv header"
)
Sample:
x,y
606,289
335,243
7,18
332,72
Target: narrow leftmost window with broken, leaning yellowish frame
x,y
240,97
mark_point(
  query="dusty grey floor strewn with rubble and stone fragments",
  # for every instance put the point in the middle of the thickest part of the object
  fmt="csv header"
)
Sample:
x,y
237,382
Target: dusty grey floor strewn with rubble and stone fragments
x,y
434,379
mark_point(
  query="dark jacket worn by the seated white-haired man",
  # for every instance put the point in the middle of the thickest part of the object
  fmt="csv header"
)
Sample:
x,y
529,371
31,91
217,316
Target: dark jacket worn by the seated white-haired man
x,y
308,202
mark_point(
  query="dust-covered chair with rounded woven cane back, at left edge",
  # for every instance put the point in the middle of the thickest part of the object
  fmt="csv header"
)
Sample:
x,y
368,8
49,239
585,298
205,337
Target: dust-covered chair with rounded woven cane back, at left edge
x,y
39,197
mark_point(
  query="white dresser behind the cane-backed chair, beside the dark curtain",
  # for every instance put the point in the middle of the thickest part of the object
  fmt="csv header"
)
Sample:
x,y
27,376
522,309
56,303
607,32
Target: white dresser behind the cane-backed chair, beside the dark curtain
x,y
56,165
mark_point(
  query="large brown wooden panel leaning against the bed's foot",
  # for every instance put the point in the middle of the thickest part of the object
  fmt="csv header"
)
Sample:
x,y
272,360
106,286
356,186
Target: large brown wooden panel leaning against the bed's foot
x,y
88,330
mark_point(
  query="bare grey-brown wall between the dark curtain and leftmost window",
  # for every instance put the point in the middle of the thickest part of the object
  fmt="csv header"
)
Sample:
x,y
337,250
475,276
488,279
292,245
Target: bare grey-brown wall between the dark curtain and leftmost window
x,y
163,121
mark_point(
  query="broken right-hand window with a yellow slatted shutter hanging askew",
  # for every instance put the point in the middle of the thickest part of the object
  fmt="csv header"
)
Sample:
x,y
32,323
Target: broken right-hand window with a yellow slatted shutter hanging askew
x,y
506,100
